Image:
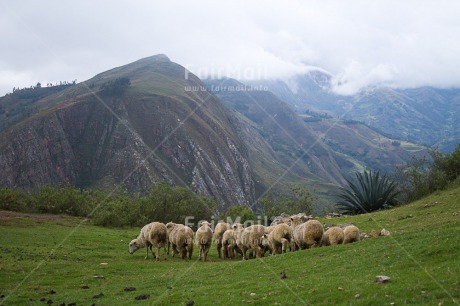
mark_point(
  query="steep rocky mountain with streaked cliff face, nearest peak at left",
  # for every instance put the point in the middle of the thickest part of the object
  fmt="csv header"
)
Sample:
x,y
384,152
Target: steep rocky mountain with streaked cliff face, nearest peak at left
x,y
154,130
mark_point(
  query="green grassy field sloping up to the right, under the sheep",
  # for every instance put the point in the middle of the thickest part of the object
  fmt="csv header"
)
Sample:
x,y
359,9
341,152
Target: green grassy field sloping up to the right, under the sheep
x,y
39,256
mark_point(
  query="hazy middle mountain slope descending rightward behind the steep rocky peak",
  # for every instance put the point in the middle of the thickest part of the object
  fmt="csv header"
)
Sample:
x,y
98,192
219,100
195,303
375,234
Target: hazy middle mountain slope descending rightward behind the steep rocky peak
x,y
324,149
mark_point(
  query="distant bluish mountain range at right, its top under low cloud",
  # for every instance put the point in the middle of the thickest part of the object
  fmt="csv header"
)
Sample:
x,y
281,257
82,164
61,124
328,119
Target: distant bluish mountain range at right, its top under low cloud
x,y
425,115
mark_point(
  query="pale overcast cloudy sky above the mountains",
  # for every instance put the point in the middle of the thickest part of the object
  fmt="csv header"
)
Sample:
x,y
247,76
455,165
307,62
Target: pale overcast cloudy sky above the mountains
x,y
359,43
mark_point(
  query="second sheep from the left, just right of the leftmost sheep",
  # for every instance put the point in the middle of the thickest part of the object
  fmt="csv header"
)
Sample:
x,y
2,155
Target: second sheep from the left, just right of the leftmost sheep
x,y
180,236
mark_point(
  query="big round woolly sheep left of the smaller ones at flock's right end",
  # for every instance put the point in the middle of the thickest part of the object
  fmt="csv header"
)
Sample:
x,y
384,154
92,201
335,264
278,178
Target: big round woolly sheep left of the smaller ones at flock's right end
x,y
306,235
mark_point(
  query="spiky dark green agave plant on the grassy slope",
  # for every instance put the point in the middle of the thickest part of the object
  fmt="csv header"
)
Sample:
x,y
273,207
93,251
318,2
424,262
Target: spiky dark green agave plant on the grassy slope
x,y
373,191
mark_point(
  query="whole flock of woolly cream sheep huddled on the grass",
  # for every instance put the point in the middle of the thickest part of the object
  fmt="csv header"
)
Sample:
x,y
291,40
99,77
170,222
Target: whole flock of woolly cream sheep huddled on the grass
x,y
232,240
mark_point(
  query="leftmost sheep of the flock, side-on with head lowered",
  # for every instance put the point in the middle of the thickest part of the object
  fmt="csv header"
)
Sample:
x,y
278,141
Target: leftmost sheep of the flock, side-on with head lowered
x,y
157,237
